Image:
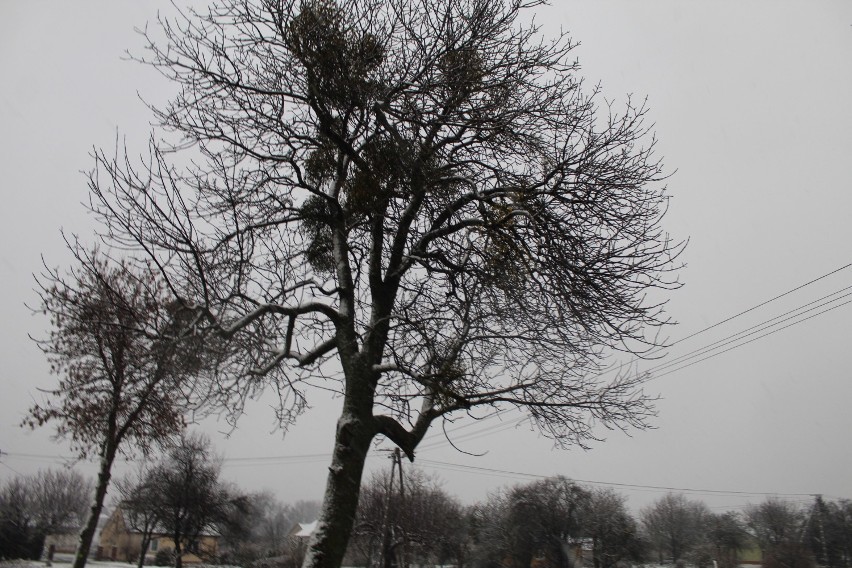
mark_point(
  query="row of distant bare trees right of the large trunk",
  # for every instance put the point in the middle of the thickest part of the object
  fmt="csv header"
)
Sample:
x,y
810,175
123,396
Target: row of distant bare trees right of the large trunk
x,y
558,523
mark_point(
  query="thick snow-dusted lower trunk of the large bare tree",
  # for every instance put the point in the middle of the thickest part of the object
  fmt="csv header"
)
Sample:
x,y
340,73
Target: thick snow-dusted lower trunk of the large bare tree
x,y
331,536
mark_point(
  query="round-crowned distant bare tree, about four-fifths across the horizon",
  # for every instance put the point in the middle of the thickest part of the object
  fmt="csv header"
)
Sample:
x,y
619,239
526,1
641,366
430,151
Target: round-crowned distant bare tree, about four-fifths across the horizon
x,y
675,525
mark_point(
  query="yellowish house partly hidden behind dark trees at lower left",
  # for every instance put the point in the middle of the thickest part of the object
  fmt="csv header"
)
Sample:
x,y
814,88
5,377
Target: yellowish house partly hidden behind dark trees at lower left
x,y
120,542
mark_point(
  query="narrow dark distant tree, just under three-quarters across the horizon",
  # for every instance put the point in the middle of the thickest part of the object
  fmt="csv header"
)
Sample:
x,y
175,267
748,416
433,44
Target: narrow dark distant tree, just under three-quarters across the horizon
x,y
611,528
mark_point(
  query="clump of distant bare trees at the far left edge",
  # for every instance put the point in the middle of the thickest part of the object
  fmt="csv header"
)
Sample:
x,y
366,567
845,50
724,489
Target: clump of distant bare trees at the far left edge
x,y
32,507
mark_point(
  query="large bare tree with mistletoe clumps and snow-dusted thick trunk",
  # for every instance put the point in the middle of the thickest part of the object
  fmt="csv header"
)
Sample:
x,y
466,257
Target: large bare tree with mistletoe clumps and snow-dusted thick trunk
x,y
414,203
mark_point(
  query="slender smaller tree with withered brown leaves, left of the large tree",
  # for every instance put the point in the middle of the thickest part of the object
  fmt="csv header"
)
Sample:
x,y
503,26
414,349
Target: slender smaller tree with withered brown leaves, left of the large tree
x,y
116,345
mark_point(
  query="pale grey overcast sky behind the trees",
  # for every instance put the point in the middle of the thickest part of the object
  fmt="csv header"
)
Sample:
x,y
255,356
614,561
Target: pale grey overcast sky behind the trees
x,y
752,103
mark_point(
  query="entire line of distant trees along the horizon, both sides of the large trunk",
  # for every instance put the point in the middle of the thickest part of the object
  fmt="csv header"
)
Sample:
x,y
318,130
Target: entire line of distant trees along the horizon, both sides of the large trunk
x,y
405,518
